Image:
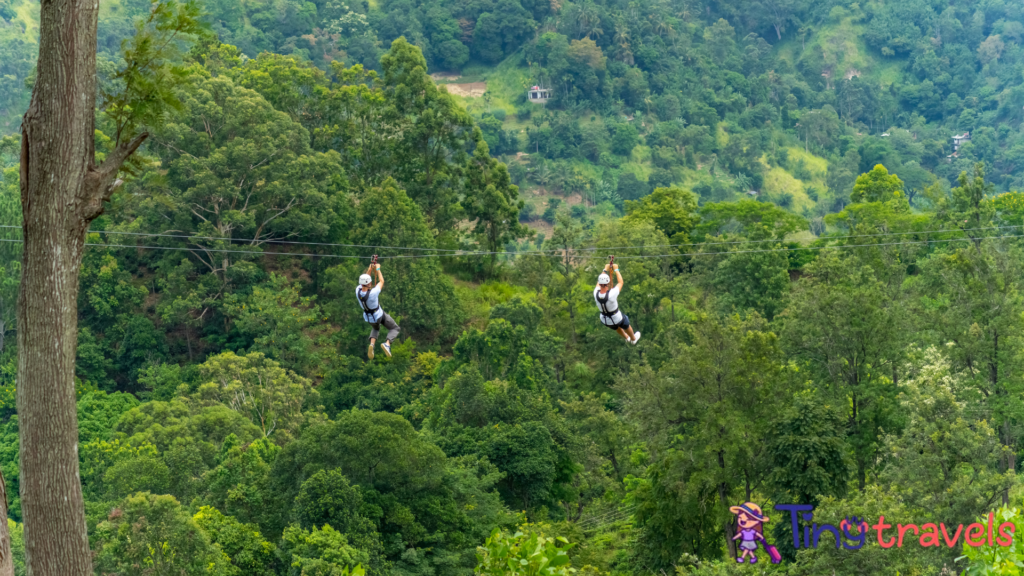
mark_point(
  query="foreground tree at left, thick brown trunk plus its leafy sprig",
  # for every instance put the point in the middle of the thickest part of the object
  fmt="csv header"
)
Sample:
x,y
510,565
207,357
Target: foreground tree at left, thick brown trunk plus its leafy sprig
x,y
65,186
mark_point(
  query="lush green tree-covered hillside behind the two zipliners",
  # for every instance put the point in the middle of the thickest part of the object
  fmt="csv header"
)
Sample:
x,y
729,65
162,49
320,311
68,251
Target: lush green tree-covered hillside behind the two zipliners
x,y
829,296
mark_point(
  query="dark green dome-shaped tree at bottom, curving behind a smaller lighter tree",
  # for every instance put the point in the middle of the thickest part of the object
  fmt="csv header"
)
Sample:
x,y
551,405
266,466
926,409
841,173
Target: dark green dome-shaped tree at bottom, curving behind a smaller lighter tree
x,y
406,478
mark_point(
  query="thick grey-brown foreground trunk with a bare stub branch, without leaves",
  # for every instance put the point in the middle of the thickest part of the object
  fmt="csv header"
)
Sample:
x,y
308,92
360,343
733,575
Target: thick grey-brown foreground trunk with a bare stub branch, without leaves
x,y
63,191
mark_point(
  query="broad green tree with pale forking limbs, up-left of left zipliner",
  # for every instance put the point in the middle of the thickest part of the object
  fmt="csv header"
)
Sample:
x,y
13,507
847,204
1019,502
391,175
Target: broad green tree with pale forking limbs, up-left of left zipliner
x,y
241,172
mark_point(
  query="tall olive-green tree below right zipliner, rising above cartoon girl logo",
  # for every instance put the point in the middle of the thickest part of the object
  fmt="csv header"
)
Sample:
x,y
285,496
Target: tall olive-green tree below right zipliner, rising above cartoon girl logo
x,y
707,416
